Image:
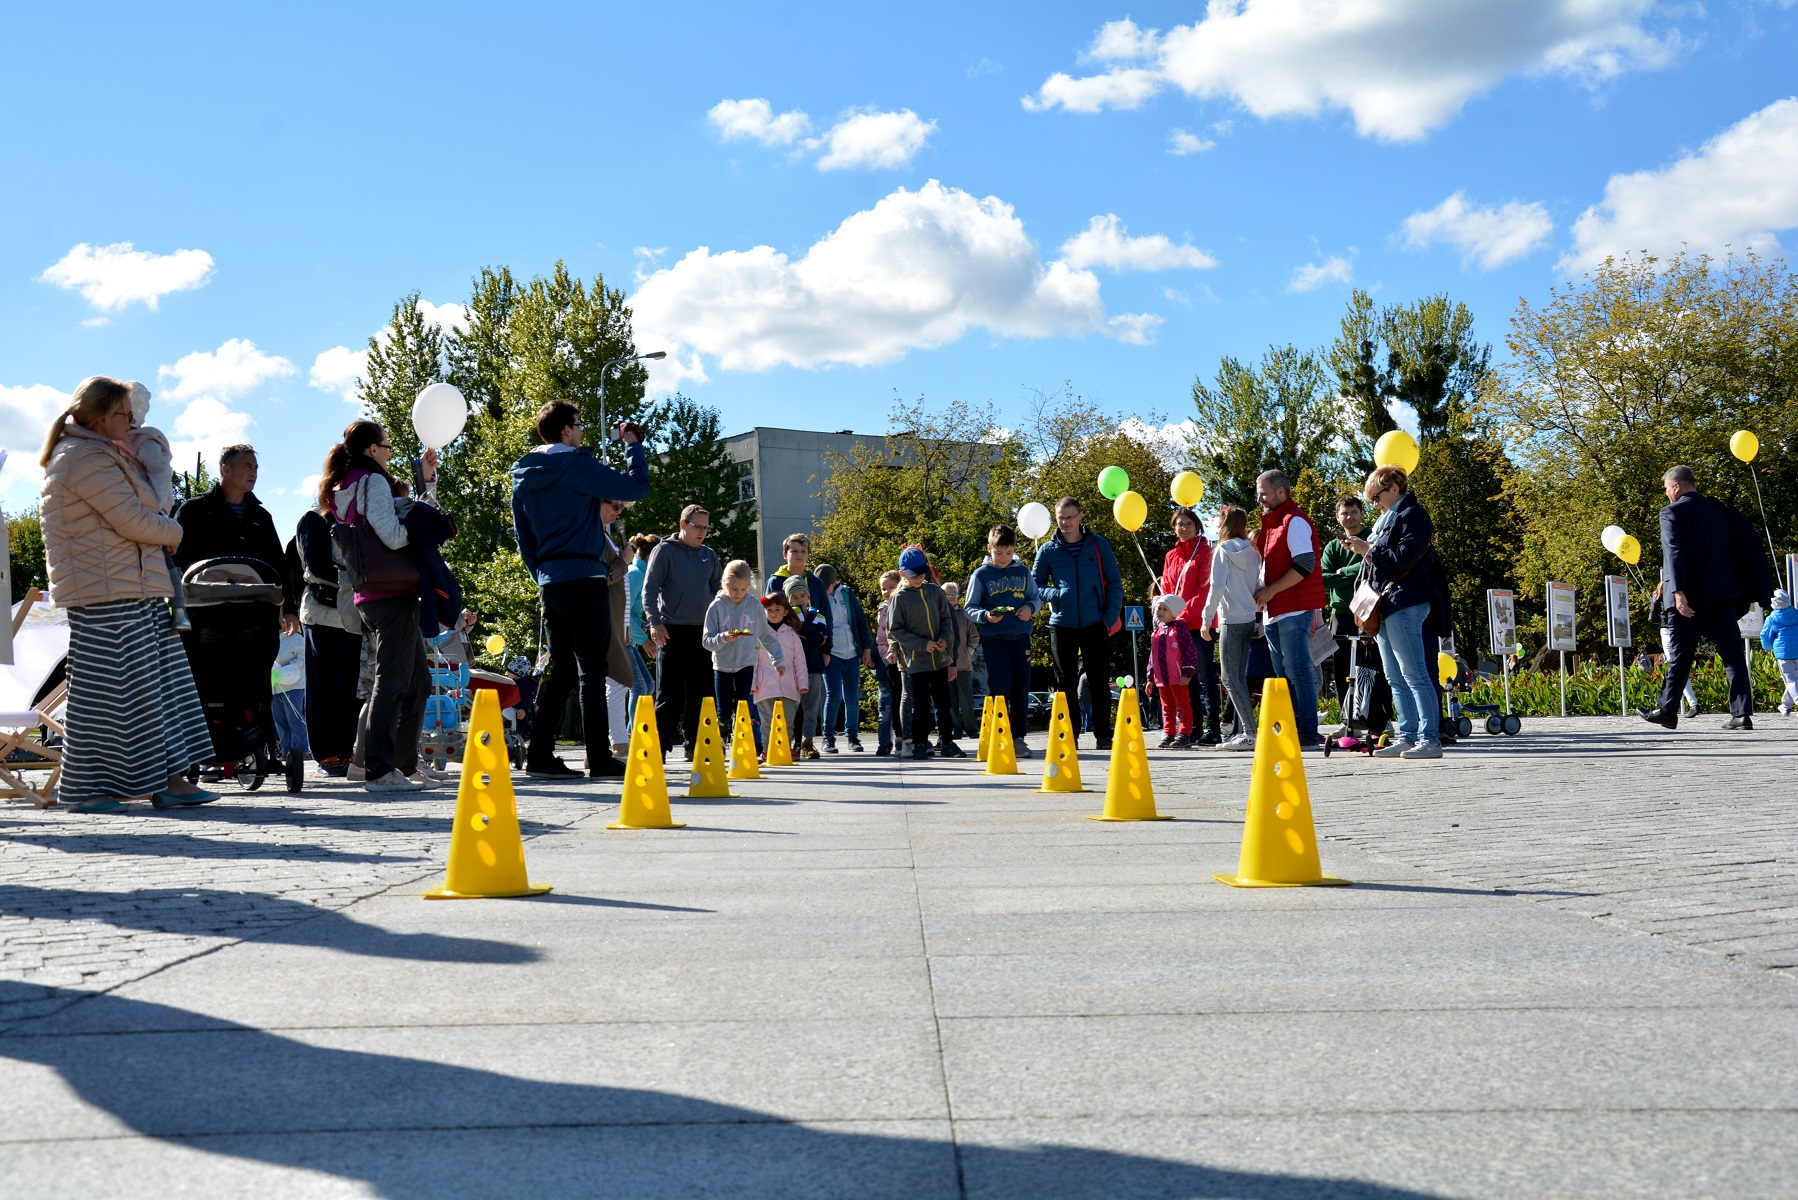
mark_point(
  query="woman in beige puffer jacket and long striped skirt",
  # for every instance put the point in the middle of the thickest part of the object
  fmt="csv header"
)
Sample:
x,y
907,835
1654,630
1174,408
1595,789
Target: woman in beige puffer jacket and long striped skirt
x,y
134,719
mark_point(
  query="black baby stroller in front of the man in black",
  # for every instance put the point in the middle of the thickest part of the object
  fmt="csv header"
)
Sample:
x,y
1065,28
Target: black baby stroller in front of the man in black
x,y
235,605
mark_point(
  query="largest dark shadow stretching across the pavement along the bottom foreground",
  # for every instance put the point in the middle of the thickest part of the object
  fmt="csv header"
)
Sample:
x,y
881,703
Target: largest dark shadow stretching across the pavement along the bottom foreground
x,y
413,1129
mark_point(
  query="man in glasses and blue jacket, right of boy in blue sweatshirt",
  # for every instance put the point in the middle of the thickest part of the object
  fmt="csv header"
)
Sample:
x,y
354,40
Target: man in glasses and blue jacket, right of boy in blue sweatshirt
x,y
1078,577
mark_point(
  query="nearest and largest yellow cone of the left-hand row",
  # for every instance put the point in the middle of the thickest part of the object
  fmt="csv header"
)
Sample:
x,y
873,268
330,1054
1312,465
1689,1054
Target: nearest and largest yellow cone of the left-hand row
x,y
486,854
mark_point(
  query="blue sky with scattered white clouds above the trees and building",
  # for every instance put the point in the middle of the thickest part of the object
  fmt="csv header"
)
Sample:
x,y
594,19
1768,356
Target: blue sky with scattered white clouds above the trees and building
x,y
952,201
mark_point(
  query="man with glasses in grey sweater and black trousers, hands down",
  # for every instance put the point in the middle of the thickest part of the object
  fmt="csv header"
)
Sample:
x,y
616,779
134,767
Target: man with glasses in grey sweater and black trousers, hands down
x,y
684,577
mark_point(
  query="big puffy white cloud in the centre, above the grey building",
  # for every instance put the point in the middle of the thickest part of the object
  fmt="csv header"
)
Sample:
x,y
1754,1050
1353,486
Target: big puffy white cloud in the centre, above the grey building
x,y
916,271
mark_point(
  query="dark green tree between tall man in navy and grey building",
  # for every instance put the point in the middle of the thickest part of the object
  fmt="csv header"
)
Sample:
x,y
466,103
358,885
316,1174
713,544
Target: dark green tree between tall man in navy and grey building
x,y
690,465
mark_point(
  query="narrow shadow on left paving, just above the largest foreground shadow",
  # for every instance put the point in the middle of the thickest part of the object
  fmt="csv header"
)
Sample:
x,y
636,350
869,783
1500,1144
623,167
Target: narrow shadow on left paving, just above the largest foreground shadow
x,y
206,913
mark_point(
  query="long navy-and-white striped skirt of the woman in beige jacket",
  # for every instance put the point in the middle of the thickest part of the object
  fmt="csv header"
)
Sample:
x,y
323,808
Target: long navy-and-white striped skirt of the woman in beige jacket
x,y
134,713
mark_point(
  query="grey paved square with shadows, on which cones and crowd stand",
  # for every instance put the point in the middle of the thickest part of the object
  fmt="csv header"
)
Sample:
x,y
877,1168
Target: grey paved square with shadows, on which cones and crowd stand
x,y
1567,969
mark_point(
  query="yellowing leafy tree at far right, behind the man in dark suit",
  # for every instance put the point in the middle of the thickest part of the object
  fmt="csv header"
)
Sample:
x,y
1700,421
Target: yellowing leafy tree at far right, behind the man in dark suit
x,y
1635,368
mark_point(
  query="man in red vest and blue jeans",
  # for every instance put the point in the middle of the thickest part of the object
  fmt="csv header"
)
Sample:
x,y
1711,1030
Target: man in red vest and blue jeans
x,y
1292,595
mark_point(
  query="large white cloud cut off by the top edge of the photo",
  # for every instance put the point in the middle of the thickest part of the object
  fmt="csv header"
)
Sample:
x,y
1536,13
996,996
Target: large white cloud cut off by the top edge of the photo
x,y
1402,67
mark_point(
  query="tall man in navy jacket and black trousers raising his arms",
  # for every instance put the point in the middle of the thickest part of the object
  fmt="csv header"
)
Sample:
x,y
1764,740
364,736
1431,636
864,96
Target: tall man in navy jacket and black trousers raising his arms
x,y
560,508
